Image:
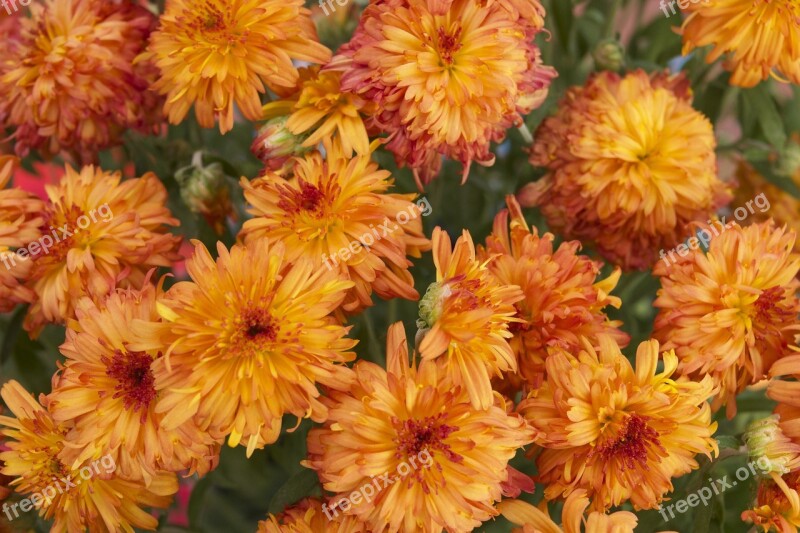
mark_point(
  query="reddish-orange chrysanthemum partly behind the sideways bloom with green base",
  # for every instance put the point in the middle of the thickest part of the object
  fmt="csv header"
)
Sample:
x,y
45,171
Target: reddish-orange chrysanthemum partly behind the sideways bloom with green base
x,y
562,303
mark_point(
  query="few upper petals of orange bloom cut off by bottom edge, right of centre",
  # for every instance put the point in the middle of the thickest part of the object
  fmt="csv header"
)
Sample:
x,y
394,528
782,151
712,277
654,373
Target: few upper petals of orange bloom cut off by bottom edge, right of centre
x,y
534,520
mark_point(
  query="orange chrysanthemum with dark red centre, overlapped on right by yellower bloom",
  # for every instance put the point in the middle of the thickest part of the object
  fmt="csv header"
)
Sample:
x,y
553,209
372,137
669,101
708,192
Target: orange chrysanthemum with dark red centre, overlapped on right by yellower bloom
x,y
108,391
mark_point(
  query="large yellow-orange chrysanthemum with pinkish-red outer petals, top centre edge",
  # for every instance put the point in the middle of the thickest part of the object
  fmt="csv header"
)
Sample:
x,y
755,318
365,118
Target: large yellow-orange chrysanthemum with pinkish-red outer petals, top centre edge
x,y
448,77
